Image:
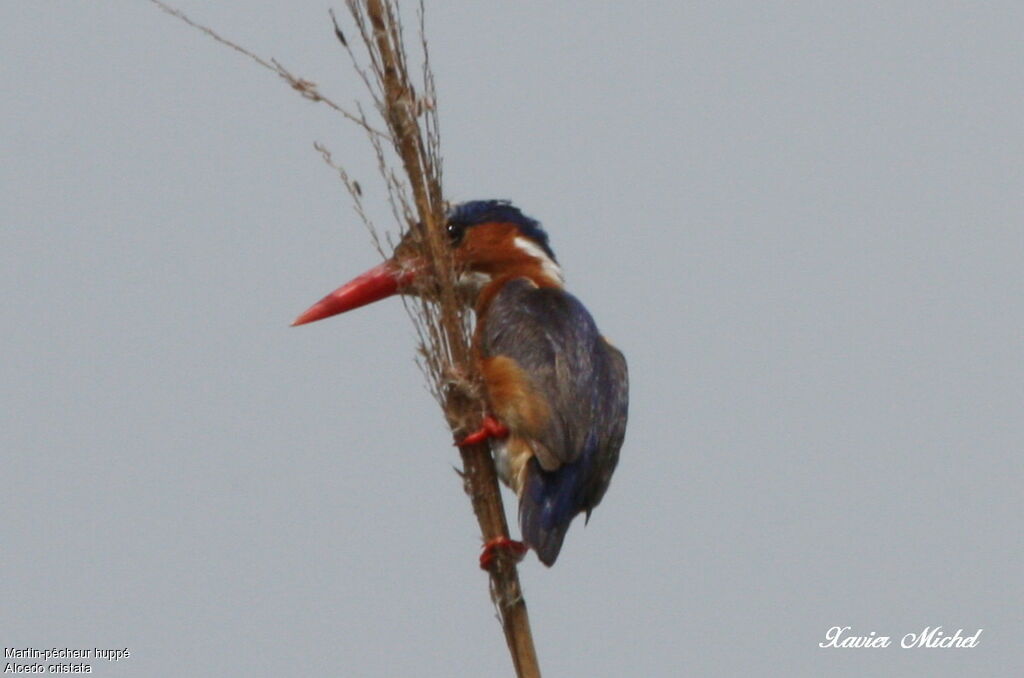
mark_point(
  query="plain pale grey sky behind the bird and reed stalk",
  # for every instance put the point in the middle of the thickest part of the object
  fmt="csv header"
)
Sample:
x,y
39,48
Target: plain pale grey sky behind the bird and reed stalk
x,y
802,225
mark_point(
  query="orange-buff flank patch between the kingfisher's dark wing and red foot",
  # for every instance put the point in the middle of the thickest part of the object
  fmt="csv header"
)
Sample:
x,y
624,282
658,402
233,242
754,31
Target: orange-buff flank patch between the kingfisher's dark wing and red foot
x,y
513,397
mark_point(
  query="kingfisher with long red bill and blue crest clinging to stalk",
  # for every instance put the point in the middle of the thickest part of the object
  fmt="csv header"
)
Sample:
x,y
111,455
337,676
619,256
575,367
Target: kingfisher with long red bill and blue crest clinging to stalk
x,y
557,391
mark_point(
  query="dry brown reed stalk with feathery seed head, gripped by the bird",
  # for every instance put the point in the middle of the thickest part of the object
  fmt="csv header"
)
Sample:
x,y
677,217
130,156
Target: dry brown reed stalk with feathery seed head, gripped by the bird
x,y
441,320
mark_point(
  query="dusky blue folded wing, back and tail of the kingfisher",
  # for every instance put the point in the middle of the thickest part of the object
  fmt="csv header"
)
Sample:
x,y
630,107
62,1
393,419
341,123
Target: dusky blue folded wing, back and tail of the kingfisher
x,y
584,379
